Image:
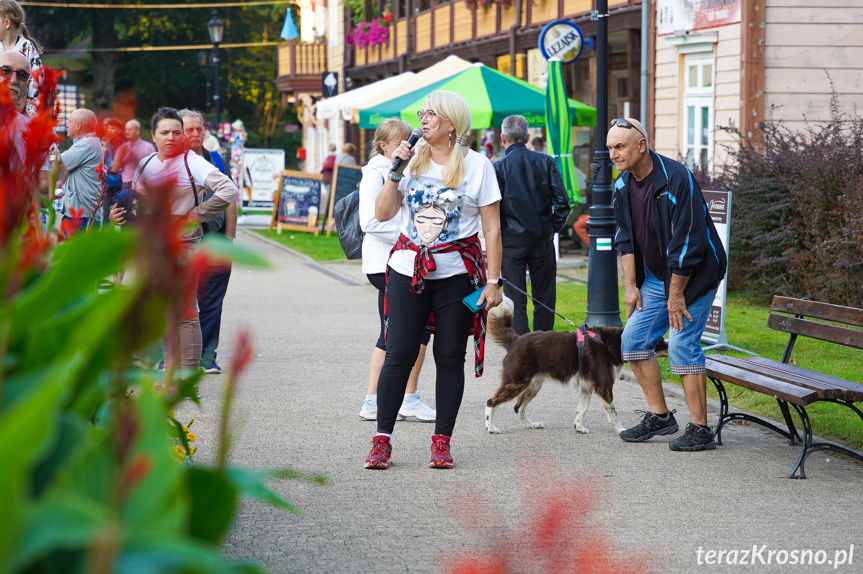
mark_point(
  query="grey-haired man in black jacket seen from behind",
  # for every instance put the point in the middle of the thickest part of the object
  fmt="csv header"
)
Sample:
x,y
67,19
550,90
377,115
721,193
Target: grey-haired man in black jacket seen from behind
x,y
533,208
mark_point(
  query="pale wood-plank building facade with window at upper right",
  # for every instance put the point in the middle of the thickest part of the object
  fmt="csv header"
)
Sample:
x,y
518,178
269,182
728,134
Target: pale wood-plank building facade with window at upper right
x,y
720,63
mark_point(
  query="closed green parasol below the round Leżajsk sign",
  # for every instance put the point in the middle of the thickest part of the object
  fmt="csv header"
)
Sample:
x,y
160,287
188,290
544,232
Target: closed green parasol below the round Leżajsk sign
x,y
559,129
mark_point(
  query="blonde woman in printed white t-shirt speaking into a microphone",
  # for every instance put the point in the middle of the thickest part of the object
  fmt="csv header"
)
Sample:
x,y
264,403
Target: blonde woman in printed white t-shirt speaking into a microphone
x,y
441,202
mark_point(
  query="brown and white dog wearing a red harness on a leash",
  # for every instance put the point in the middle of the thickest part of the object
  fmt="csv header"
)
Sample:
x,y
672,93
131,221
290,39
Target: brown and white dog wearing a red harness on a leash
x,y
534,358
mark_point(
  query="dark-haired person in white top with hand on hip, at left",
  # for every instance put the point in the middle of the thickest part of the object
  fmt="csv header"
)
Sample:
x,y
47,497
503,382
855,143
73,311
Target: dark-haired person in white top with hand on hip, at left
x,y
188,175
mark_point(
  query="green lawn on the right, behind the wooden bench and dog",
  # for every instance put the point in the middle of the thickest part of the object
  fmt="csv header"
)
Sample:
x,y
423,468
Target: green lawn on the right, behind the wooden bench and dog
x,y
746,327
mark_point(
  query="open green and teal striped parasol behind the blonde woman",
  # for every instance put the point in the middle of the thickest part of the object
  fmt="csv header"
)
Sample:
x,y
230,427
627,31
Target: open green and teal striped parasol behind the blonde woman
x,y
490,95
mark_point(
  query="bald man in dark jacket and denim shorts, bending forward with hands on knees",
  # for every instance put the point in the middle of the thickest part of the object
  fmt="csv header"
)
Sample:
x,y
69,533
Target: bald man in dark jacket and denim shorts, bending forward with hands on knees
x,y
672,261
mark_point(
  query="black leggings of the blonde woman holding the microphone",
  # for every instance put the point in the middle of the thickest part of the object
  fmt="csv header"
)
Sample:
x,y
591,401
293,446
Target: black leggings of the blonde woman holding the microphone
x,y
408,313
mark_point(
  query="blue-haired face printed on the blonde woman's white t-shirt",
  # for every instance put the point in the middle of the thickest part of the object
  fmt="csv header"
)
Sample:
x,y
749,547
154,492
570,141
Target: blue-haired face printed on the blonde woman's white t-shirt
x,y
435,211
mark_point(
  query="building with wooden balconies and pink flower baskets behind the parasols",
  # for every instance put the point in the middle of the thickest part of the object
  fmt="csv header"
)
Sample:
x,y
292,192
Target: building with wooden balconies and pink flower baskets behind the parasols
x,y
423,32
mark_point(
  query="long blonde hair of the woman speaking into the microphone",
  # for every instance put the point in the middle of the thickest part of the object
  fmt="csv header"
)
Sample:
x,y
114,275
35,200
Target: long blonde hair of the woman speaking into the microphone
x,y
452,107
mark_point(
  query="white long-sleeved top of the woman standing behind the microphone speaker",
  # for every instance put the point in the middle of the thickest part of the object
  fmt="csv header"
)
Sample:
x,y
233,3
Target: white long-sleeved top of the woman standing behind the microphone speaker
x,y
380,236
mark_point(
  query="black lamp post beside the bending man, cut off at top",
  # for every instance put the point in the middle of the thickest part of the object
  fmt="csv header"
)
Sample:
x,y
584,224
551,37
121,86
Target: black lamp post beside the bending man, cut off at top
x,y
603,305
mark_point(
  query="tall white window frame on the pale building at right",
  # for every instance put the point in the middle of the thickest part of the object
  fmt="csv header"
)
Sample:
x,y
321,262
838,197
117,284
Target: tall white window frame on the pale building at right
x,y
698,99
